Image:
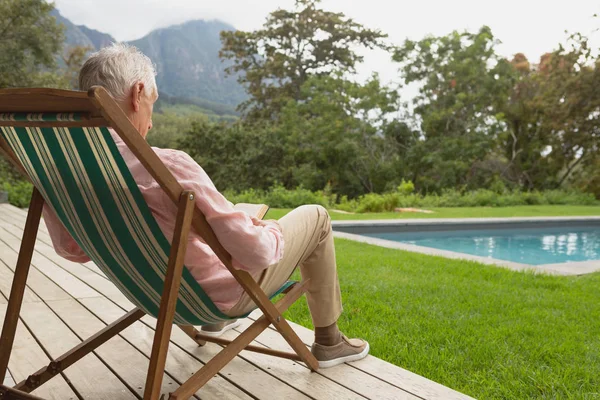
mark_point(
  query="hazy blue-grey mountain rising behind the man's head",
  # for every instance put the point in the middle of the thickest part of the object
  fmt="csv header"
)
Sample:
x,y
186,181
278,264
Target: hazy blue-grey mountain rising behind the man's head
x,y
186,56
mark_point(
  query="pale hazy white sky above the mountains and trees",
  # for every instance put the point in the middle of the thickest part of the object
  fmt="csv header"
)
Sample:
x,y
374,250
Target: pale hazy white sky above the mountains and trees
x,y
529,26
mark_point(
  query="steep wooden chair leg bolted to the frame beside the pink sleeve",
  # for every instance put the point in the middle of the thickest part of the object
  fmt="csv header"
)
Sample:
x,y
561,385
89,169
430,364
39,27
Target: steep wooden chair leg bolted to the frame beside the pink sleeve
x,y
169,297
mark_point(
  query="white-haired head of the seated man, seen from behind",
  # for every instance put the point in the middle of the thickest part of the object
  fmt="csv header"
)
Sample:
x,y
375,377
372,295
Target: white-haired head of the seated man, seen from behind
x,y
128,75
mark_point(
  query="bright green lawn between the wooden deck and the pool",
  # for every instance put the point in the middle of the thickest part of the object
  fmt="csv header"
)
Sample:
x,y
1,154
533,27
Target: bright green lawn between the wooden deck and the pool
x,y
485,331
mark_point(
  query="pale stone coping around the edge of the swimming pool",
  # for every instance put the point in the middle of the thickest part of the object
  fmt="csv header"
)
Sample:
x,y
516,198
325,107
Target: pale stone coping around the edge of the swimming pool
x,y
569,268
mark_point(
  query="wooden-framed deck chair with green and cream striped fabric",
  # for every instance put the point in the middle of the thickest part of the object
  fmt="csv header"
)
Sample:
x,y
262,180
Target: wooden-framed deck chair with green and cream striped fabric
x,y
60,141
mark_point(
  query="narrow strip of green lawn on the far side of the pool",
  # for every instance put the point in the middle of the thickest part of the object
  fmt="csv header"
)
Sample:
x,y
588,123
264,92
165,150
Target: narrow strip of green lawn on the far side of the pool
x,y
466,212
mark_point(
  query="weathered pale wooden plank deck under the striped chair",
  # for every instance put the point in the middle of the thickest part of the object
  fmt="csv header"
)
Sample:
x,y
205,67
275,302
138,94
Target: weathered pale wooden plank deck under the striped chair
x,y
67,302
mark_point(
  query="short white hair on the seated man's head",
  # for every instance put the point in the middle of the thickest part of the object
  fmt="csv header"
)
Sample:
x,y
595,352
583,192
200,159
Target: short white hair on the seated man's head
x,y
118,68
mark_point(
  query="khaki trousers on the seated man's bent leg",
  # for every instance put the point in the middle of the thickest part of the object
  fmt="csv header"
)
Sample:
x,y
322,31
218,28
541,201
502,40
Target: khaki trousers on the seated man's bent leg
x,y
308,242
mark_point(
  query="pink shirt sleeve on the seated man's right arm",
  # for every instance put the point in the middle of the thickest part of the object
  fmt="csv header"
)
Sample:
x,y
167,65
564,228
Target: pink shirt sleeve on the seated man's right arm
x,y
253,246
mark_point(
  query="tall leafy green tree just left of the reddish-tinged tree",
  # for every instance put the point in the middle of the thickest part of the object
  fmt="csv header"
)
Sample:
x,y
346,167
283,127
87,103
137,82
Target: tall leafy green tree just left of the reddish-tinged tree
x,y
464,86
